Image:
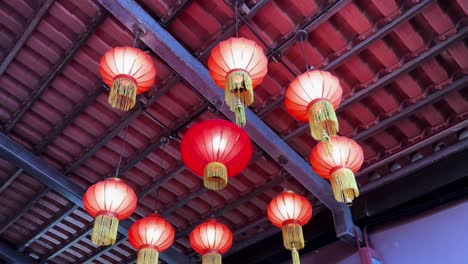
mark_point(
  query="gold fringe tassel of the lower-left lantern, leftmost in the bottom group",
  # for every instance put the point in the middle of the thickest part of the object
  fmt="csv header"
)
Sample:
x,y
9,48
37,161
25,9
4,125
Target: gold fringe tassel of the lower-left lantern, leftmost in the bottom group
x,y
105,230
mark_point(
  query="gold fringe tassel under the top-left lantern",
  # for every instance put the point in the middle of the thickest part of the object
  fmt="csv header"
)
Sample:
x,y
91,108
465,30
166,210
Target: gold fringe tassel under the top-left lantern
x,y
123,94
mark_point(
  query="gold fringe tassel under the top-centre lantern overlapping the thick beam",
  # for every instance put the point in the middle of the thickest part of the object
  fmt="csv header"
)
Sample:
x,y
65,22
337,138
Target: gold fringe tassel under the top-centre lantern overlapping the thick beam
x,y
239,93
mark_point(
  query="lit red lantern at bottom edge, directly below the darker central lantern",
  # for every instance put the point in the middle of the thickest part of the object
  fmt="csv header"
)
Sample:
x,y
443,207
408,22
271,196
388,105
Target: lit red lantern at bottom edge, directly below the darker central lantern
x,y
211,239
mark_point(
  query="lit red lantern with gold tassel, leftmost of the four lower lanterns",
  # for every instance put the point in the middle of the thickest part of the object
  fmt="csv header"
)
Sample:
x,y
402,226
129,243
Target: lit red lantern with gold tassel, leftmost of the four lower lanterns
x,y
108,201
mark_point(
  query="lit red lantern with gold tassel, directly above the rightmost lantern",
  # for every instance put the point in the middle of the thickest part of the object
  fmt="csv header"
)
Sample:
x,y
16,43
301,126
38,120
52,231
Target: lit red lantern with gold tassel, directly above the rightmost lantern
x,y
314,96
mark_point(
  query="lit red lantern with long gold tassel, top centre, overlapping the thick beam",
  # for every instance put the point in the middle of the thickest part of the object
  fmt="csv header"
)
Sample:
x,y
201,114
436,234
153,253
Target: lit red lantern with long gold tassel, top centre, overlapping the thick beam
x,y
238,65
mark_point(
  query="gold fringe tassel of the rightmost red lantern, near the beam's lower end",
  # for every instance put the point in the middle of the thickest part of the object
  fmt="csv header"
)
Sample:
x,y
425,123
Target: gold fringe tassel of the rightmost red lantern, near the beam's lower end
x,y
344,186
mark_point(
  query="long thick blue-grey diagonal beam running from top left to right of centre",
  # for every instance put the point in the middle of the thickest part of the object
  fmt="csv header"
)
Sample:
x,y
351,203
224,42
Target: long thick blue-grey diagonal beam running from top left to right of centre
x,y
190,69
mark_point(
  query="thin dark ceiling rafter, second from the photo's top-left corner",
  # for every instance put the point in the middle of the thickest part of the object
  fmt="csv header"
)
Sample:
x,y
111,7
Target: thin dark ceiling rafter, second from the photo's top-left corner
x,y
55,71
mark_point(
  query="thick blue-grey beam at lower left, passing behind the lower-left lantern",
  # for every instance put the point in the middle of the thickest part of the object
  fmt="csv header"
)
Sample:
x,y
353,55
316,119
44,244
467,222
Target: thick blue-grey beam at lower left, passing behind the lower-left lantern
x,y
55,180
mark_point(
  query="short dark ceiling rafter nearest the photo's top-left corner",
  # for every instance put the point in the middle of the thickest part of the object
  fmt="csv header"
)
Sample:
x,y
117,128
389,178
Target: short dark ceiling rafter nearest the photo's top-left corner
x,y
19,43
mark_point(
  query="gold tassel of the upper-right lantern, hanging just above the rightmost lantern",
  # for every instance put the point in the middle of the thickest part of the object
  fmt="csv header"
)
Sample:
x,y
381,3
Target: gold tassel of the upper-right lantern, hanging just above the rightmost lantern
x,y
323,122
